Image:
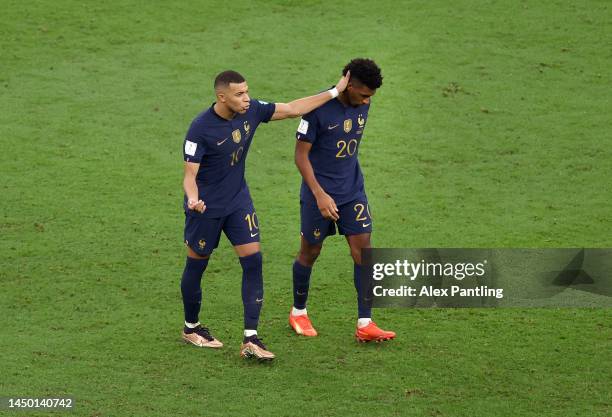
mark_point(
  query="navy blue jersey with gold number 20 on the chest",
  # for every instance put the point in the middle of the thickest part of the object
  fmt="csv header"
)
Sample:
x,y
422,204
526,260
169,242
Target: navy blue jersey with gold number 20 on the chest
x,y
335,132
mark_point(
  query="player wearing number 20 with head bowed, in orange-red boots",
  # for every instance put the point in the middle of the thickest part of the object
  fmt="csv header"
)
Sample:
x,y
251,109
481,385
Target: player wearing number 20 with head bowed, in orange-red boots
x,y
333,193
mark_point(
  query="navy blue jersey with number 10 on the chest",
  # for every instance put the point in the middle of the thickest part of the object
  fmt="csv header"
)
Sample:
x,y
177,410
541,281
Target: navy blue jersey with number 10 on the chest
x,y
220,146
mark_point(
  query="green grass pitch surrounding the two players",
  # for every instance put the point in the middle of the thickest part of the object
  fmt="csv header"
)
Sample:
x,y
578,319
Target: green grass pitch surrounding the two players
x,y
491,130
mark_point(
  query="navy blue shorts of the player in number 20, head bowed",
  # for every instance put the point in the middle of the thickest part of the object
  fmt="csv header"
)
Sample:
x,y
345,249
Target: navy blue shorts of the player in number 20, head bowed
x,y
355,219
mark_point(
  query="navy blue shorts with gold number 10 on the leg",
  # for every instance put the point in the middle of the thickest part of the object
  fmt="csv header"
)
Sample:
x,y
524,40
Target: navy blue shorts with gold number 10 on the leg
x,y
202,233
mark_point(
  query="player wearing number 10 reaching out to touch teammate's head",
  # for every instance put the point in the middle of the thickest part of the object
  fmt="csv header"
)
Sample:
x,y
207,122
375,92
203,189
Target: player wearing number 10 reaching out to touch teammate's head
x,y
217,199
